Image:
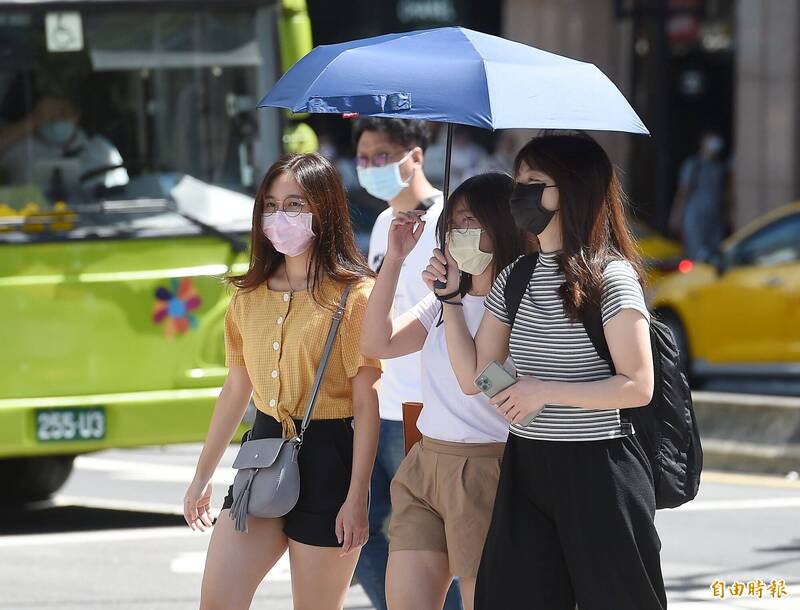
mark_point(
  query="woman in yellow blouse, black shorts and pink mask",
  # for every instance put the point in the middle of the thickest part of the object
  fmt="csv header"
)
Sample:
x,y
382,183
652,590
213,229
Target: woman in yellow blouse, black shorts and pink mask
x,y
303,254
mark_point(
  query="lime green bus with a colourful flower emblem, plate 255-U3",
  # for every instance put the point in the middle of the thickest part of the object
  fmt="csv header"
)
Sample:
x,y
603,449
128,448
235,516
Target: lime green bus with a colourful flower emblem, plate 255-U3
x,y
130,149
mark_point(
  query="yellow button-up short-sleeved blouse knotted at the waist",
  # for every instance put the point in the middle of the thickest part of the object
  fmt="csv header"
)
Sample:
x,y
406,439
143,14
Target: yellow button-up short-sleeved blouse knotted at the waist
x,y
279,336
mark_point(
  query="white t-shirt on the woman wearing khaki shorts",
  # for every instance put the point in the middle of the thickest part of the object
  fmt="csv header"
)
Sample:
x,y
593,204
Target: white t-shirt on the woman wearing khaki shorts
x,y
448,414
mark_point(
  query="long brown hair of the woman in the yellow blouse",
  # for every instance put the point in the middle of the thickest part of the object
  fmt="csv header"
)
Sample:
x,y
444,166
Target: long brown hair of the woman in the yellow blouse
x,y
334,255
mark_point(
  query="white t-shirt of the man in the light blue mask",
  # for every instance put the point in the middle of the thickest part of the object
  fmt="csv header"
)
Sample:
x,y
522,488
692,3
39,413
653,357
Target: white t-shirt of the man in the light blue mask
x,y
400,381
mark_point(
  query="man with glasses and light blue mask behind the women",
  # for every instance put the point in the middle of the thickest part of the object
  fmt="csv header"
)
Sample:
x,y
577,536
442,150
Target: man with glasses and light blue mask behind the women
x,y
389,161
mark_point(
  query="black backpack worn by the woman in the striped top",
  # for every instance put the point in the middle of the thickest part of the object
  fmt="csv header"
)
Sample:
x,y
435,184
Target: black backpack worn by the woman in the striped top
x,y
666,428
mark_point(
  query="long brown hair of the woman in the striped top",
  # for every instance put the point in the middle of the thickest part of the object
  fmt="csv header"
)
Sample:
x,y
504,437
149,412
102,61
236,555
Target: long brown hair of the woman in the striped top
x,y
594,230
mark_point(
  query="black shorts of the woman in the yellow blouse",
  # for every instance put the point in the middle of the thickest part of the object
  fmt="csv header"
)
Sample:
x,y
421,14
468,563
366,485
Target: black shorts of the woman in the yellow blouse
x,y
325,461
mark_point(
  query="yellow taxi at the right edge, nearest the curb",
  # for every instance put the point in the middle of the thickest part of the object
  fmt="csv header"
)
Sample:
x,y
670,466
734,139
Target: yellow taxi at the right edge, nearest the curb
x,y
738,314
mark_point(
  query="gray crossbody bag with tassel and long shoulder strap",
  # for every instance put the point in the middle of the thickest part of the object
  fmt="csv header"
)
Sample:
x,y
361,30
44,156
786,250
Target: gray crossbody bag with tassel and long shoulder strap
x,y
267,483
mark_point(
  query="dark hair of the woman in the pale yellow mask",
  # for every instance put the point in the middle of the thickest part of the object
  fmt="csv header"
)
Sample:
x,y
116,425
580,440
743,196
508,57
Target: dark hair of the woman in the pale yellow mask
x,y
487,197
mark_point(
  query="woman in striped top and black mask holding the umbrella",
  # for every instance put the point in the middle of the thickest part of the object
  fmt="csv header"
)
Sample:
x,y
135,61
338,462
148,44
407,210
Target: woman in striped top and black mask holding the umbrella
x,y
573,516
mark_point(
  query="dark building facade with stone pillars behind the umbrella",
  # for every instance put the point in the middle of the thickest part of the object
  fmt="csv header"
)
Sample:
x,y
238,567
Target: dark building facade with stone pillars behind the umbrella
x,y
688,66
